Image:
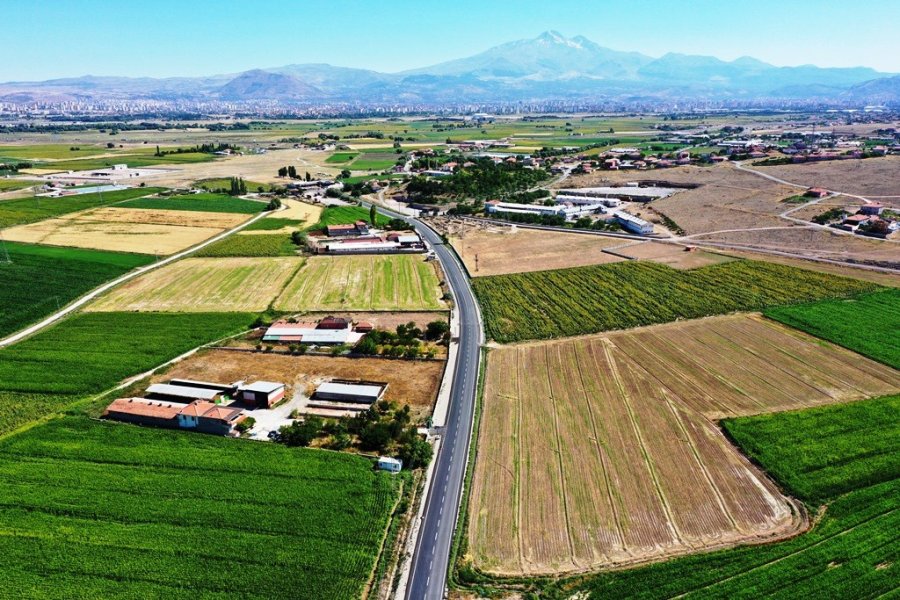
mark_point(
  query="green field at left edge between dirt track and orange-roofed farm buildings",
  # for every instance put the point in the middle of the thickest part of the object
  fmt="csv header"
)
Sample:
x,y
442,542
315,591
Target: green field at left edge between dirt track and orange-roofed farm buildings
x,y
90,352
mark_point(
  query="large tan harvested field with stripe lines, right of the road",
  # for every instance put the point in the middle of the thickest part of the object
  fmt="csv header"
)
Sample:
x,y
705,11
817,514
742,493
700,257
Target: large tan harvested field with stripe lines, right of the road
x,y
602,451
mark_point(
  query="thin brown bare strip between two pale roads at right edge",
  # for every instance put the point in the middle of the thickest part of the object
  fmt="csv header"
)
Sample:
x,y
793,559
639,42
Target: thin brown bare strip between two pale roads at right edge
x,y
813,243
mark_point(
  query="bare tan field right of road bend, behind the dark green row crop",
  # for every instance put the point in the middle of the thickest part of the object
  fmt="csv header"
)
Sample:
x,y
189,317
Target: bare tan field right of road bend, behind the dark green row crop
x,y
502,250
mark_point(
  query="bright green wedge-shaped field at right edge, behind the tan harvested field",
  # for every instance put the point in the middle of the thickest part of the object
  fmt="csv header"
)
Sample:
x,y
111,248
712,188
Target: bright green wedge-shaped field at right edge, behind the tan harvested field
x,y
868,324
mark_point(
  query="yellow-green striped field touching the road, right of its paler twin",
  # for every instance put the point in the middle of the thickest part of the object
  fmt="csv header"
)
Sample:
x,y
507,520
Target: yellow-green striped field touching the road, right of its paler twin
x,y
373,282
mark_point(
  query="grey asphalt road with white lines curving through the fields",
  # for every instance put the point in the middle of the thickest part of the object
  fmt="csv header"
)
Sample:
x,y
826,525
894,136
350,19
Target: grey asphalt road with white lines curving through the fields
x,y
428,575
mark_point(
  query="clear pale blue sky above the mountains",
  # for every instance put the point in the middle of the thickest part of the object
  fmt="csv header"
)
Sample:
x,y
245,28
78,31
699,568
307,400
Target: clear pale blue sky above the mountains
x,y
57,38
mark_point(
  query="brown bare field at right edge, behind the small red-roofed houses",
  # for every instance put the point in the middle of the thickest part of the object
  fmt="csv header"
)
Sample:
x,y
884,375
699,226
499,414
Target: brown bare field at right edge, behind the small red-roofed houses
x,y
872,177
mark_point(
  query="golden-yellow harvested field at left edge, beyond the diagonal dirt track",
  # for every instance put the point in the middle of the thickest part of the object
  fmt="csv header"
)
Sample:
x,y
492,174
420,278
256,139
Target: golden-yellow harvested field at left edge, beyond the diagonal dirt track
x,y
147,231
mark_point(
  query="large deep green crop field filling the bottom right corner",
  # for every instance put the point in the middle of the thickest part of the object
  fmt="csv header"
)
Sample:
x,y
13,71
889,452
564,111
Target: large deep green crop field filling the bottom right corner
x,y
817,455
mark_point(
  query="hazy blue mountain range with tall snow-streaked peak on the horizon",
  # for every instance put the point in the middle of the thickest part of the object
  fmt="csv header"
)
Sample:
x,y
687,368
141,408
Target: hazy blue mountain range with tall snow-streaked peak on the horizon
x,y
546,68
